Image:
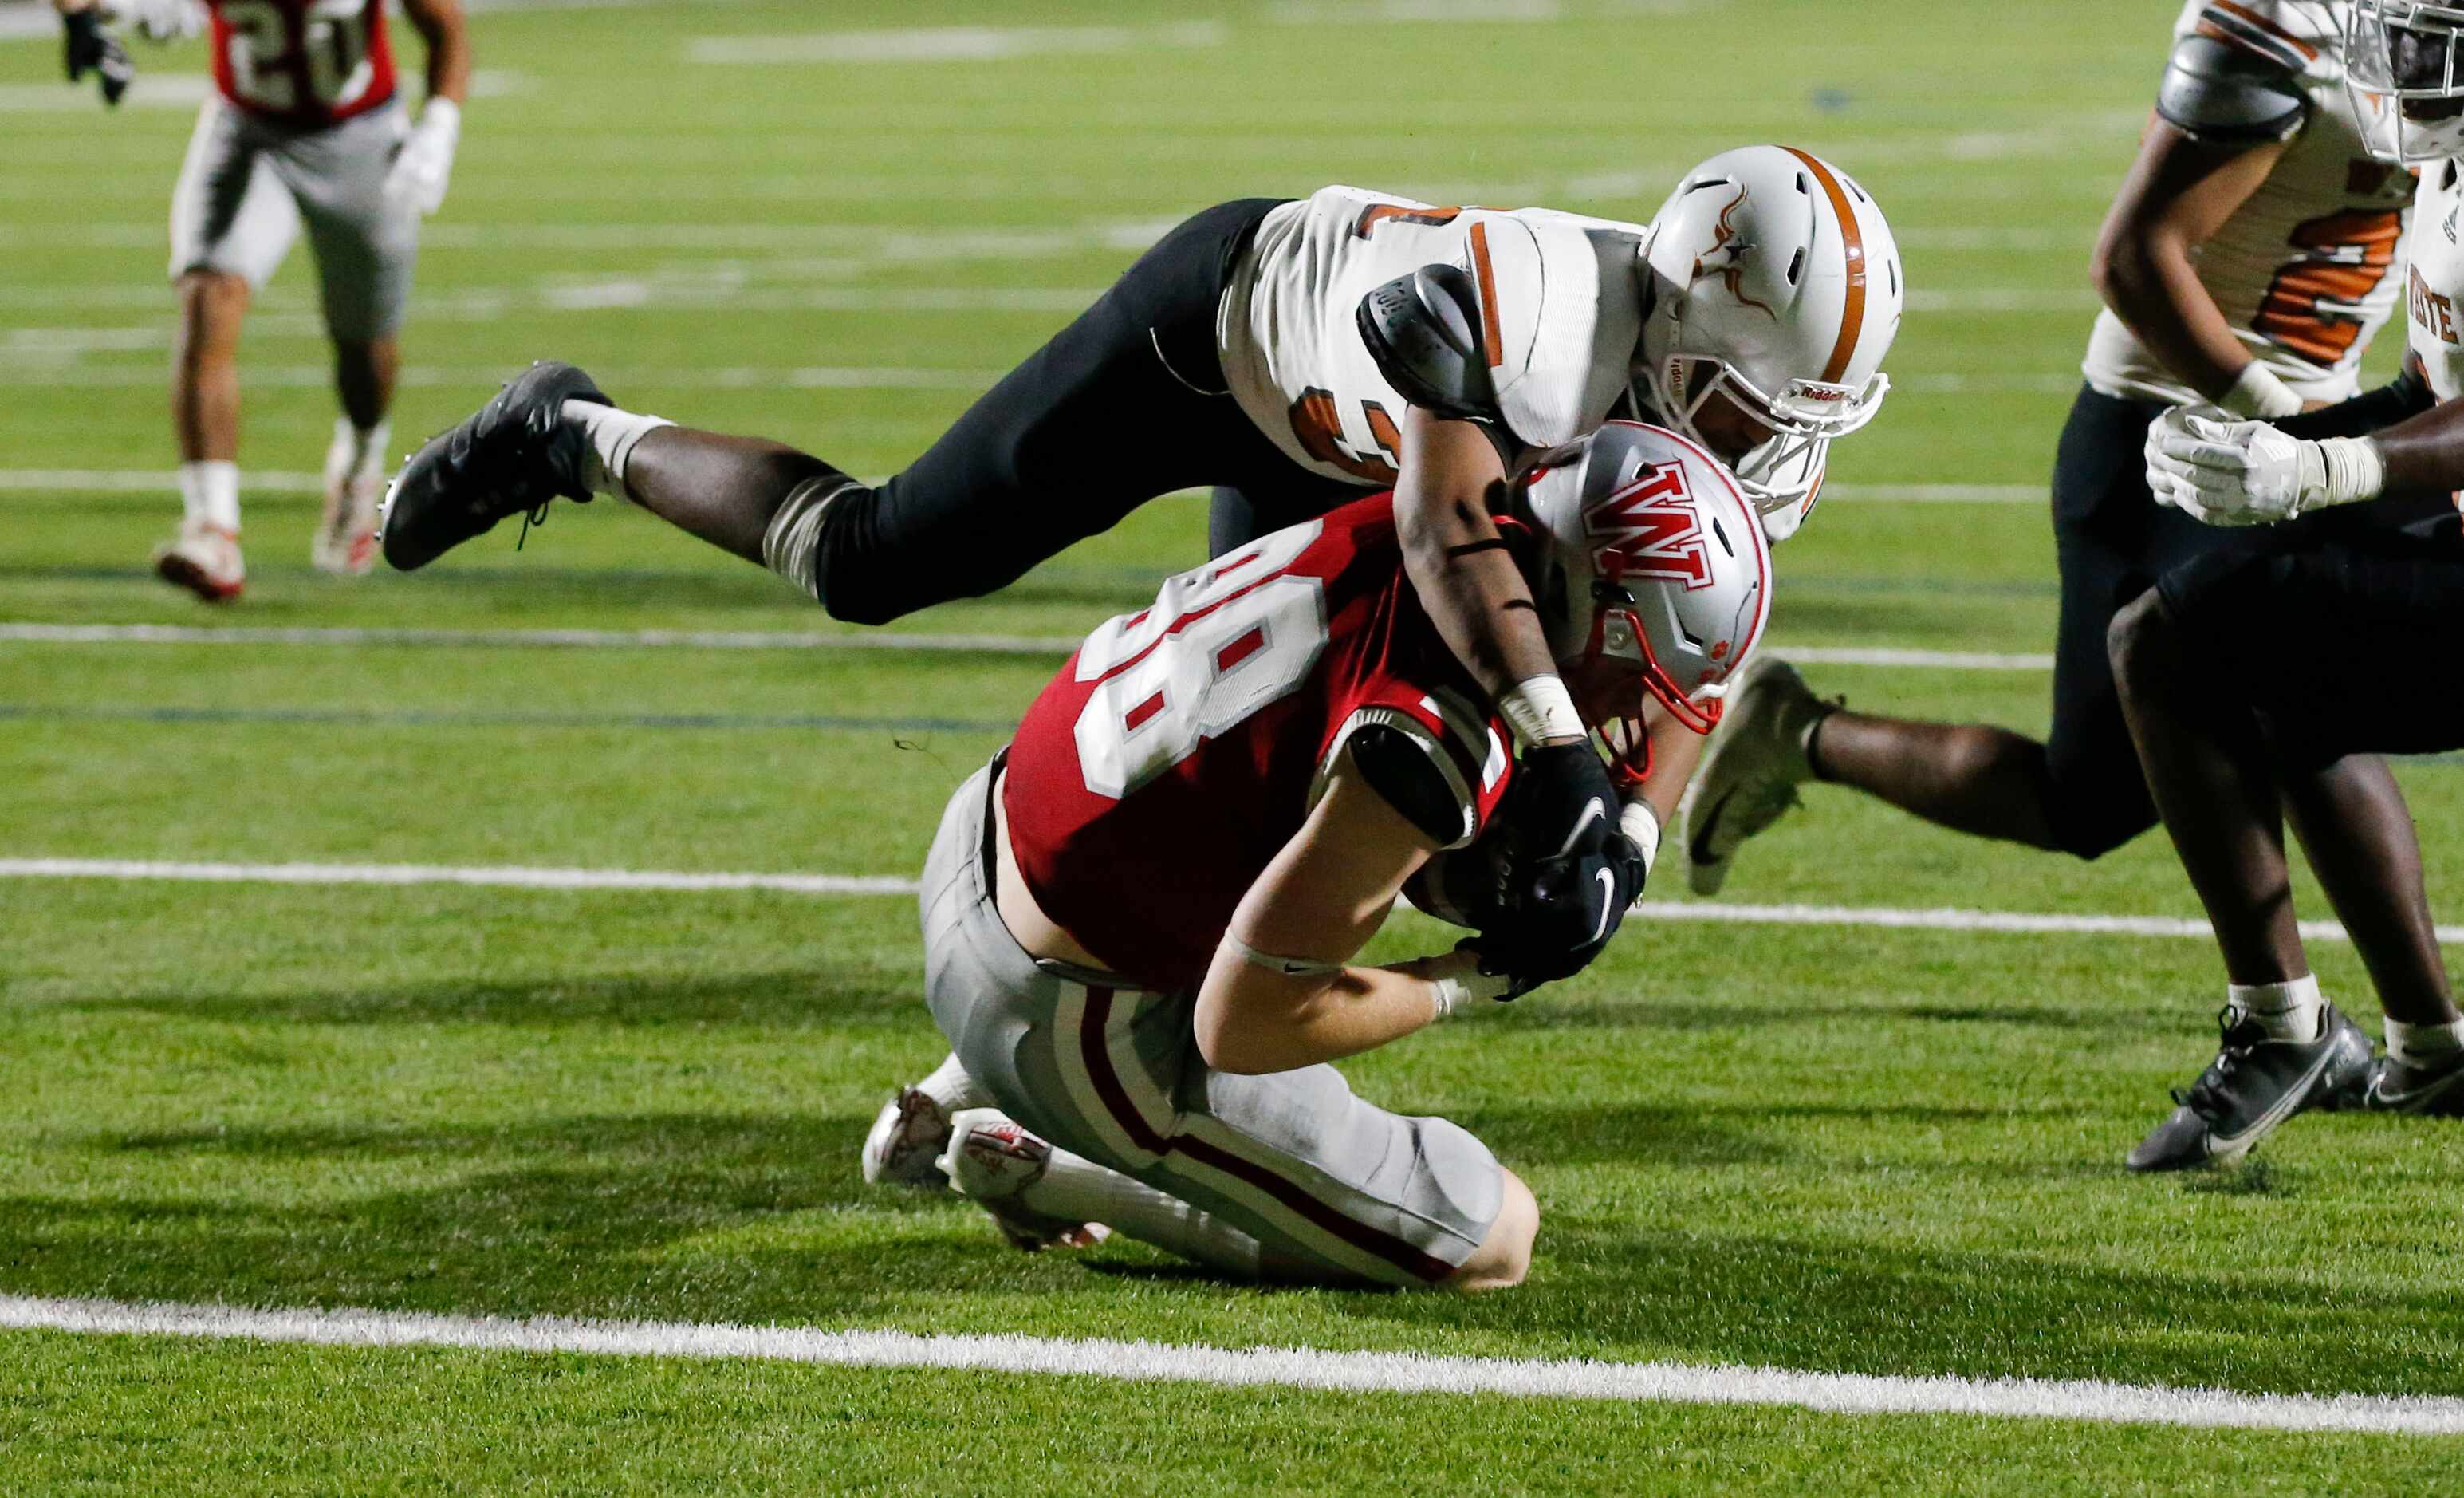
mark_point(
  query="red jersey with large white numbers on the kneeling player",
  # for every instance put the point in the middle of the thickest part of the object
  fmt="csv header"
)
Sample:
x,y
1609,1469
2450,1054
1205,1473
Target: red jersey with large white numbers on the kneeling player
x,y
1184,745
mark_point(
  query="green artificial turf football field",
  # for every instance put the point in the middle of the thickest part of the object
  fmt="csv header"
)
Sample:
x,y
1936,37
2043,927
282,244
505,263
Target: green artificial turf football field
x,y
1812,1147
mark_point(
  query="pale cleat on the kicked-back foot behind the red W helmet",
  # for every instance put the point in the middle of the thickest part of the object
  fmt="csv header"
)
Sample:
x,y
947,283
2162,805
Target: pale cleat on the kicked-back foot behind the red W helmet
x,y
1751,770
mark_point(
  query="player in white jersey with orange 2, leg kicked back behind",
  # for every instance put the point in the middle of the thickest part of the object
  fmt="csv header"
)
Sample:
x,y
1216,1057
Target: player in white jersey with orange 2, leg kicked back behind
x,y
2246,260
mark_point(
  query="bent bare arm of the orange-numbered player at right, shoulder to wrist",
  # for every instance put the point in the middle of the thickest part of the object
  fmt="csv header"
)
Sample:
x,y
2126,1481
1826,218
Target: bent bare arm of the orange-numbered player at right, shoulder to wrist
x,y
2221,124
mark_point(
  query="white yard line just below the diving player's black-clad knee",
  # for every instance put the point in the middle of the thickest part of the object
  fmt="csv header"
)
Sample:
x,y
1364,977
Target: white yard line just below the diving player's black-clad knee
x,y
664,639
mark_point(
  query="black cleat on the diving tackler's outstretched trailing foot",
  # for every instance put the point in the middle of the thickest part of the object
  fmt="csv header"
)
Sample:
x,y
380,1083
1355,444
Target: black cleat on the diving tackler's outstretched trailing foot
x,y
511,460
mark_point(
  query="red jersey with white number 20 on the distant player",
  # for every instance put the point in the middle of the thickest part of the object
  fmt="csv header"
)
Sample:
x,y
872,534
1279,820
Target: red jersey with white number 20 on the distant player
x,y
302,63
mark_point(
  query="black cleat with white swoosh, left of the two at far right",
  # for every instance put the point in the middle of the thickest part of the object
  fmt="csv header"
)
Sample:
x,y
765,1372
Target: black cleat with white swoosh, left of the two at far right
x,y
2253,1085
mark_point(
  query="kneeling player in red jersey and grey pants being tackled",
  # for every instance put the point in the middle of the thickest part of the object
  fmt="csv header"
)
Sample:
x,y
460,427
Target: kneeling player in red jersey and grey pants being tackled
x,y
1142,918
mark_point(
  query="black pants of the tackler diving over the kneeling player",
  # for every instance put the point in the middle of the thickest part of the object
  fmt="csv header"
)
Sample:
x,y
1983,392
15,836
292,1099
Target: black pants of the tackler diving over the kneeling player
x,y
1125,405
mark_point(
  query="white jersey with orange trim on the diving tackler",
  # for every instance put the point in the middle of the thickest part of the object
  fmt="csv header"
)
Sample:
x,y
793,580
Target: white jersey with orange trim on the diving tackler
x,y
1561,304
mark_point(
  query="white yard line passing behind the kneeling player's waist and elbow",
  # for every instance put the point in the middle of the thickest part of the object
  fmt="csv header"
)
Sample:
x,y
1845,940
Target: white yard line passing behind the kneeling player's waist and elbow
x,y
664,881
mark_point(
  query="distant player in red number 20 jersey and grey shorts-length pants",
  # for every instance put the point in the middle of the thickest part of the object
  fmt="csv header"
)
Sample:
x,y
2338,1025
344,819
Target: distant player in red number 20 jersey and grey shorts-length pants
x,y
304,132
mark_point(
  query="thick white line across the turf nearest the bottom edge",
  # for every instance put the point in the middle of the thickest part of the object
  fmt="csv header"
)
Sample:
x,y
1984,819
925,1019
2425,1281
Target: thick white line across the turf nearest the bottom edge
x,y
1287,1369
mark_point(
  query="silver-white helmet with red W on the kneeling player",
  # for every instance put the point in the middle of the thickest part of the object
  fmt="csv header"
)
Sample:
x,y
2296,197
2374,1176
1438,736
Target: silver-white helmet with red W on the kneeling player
x,y
1655,558
